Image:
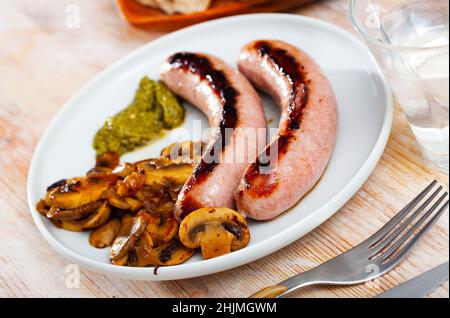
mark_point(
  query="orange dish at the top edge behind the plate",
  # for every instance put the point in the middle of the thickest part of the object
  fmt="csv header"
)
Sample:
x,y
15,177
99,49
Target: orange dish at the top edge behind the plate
x,y
138,14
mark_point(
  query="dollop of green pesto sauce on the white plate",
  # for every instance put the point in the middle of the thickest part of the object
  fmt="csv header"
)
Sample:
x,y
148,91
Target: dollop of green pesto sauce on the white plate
x,y
154,110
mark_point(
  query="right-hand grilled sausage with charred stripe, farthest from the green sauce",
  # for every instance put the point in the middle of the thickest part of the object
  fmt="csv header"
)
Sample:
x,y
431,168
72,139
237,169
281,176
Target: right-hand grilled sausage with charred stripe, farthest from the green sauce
x,y
300,151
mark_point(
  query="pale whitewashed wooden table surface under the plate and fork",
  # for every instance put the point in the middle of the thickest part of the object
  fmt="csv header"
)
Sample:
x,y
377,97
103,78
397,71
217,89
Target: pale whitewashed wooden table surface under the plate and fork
x,y
45,58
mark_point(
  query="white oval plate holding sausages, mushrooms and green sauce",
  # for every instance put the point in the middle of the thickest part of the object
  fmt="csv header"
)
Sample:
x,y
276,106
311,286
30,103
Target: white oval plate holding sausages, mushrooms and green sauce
x,y
365,109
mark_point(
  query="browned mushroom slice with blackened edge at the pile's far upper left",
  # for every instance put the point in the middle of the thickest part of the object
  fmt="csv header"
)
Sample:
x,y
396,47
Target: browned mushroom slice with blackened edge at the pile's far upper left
x,y
77,192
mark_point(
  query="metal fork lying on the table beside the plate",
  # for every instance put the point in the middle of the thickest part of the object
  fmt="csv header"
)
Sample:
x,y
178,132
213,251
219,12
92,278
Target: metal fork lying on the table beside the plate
x,y
377,255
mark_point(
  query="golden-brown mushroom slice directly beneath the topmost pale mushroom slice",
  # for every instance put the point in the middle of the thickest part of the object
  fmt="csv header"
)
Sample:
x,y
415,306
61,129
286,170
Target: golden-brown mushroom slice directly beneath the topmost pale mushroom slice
x,y
162,171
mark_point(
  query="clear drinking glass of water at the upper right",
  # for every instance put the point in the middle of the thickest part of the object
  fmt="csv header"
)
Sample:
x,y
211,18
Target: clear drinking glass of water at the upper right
x,y
410,41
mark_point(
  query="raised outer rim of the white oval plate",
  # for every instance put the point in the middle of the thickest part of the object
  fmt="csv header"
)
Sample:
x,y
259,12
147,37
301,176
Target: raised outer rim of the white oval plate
x,y
271,245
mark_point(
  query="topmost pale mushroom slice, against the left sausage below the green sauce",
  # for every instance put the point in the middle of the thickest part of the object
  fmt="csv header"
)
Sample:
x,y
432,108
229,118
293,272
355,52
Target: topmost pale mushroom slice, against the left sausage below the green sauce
x,y
184,152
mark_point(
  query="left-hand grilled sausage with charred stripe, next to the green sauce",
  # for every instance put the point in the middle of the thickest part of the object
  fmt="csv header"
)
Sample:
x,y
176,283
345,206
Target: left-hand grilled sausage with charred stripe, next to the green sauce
x,y
235,113
